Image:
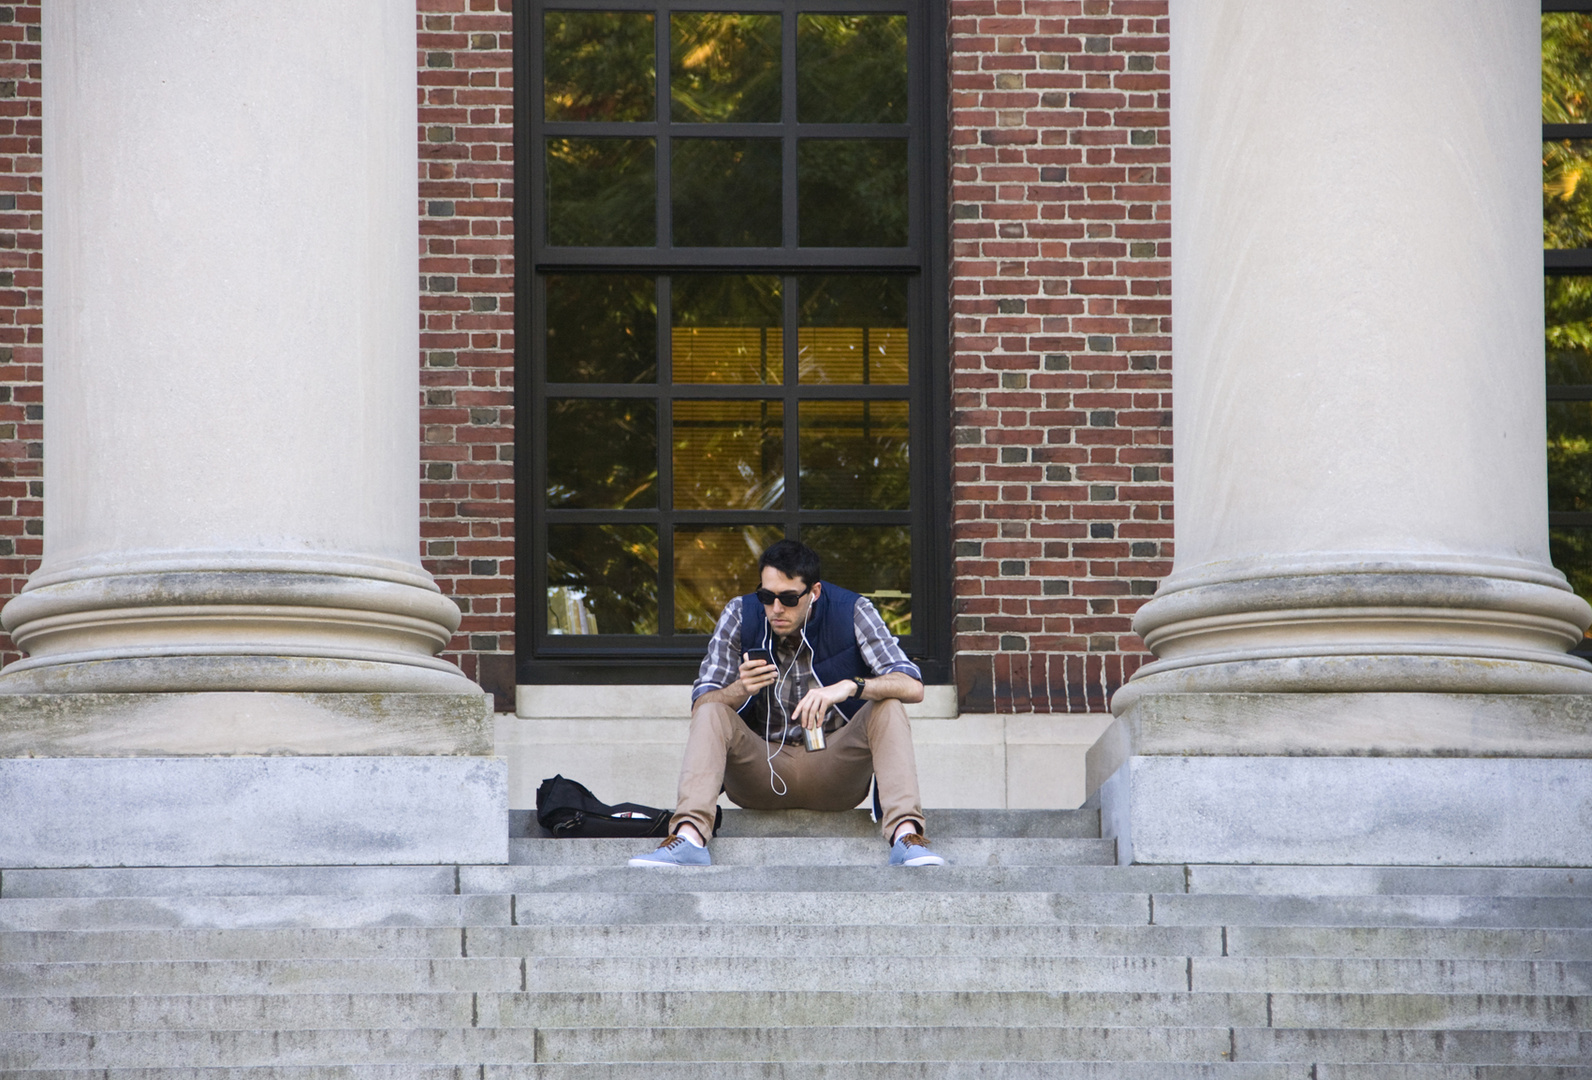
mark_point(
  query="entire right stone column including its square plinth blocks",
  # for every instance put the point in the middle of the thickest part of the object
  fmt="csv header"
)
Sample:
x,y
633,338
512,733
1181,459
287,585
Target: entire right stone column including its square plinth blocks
x,y
1362,605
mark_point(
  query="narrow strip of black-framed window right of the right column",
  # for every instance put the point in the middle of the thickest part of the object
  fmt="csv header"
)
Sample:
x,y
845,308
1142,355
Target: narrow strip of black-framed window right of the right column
x,y
1567,257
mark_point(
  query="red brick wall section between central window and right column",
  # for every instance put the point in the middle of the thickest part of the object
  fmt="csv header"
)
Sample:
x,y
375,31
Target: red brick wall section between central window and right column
x,y
1061,345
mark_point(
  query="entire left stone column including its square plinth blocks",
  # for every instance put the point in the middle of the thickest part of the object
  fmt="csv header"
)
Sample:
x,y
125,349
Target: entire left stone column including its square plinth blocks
x,y
232,640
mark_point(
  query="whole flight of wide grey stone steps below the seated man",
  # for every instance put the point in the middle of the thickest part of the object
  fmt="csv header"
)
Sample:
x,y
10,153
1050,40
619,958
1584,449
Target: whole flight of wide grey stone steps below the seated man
x,y
800,957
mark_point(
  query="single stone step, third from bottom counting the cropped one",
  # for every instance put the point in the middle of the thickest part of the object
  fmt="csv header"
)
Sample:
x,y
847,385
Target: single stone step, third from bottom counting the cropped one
x,y
819,1009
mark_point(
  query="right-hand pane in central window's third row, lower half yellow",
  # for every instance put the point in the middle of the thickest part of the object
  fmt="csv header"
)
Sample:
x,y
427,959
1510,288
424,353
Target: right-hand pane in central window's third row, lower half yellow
x,y
853,329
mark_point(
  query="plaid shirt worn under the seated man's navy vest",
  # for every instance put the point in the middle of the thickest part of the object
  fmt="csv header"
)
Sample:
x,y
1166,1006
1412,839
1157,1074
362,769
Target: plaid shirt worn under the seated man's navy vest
x,y
794,657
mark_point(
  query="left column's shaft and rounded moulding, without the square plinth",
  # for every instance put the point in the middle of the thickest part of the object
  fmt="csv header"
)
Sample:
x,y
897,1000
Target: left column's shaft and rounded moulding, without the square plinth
x,y
232,445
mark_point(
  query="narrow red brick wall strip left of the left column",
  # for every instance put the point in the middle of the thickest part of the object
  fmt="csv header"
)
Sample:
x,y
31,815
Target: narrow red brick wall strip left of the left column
x,y
21,305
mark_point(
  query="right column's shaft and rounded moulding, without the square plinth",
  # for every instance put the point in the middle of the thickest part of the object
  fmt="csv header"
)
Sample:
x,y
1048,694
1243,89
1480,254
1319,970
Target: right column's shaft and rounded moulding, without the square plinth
x,y
1359,409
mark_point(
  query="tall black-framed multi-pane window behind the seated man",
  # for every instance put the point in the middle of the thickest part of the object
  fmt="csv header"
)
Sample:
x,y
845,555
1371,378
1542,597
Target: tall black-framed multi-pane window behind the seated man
x,y
733,319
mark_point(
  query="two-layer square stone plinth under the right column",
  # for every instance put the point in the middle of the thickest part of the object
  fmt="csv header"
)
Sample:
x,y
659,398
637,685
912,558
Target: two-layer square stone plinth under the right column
x,y
1402,780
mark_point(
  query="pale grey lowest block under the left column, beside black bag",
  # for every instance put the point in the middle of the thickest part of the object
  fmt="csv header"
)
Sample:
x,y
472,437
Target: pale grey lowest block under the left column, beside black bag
x,y
254,812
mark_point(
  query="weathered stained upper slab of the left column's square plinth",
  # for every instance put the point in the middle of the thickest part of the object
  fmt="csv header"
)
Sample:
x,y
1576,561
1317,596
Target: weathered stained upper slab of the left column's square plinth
x,y
243,724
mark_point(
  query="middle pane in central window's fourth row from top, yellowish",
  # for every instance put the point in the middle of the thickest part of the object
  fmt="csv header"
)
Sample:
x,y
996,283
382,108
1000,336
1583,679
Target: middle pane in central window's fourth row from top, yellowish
x,y
730,455
